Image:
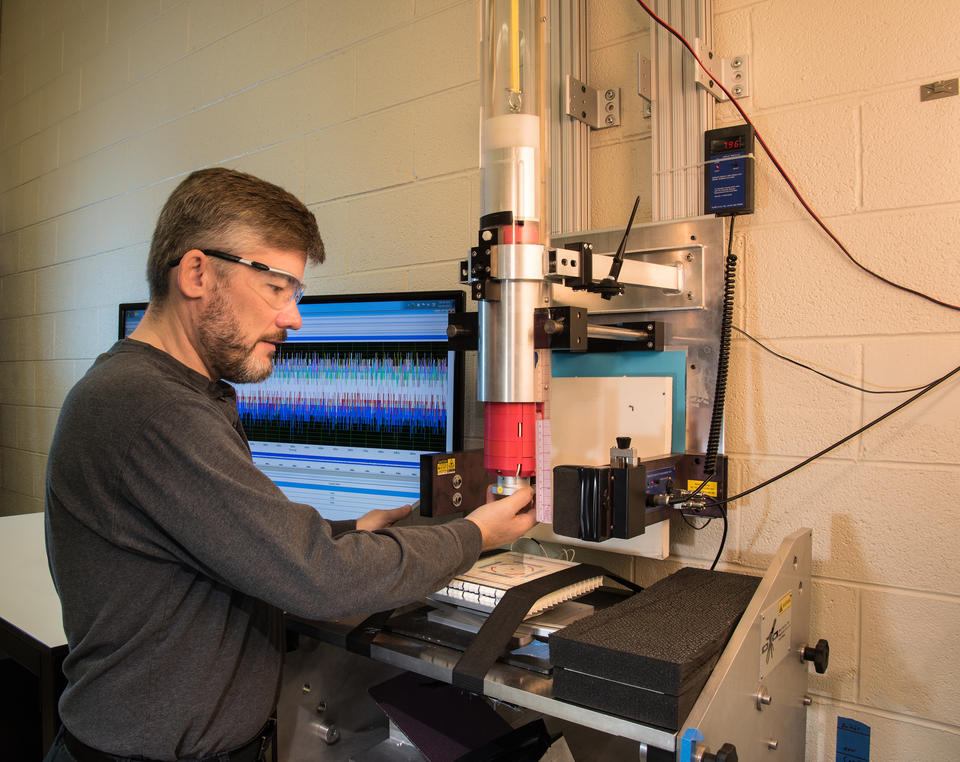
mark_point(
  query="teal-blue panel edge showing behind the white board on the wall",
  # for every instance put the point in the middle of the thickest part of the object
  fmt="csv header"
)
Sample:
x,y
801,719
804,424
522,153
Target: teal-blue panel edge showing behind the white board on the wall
x,y
670,364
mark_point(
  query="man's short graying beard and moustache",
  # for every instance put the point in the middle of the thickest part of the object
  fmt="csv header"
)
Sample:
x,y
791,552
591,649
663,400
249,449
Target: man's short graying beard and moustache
x,y
222,346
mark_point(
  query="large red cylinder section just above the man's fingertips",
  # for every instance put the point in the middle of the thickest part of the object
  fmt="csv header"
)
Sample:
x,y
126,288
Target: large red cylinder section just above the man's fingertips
x,y
510,438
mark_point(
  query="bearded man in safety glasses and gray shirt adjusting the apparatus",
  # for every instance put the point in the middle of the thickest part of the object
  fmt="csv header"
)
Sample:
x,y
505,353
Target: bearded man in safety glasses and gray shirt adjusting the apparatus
x,y
172,553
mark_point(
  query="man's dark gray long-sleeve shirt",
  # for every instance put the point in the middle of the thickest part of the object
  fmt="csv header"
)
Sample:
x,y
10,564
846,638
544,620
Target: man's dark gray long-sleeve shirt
x,y
174,555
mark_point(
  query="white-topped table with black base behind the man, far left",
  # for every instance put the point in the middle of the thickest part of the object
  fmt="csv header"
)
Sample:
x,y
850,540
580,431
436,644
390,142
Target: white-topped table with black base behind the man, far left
x,y
31,627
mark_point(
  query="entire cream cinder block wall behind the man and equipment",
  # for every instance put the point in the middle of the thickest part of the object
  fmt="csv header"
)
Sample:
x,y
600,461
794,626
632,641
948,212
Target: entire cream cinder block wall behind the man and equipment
x,y
368,111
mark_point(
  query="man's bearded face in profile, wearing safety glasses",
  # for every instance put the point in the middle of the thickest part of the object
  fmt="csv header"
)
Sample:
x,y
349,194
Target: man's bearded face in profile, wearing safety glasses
x,y
239,327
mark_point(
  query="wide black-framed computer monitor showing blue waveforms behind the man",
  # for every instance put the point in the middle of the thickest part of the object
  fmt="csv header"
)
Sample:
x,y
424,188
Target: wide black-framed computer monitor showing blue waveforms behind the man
x,y
357,394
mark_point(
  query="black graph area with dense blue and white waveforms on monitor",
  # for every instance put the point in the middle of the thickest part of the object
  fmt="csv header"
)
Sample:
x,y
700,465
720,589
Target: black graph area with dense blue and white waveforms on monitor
x,y
385,395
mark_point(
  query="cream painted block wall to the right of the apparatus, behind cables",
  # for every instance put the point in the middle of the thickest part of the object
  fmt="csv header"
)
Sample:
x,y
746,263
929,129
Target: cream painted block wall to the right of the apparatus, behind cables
x,y
835,91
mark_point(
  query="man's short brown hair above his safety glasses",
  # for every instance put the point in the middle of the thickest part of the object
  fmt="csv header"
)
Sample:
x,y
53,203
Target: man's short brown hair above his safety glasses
x,y
212,207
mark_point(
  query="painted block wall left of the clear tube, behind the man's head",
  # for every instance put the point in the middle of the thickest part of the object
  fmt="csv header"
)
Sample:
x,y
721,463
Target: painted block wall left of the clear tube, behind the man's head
x,y
368,111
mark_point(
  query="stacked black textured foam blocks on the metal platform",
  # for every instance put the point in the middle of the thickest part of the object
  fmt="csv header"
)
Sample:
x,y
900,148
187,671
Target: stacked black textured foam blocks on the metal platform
x,y
665,639
